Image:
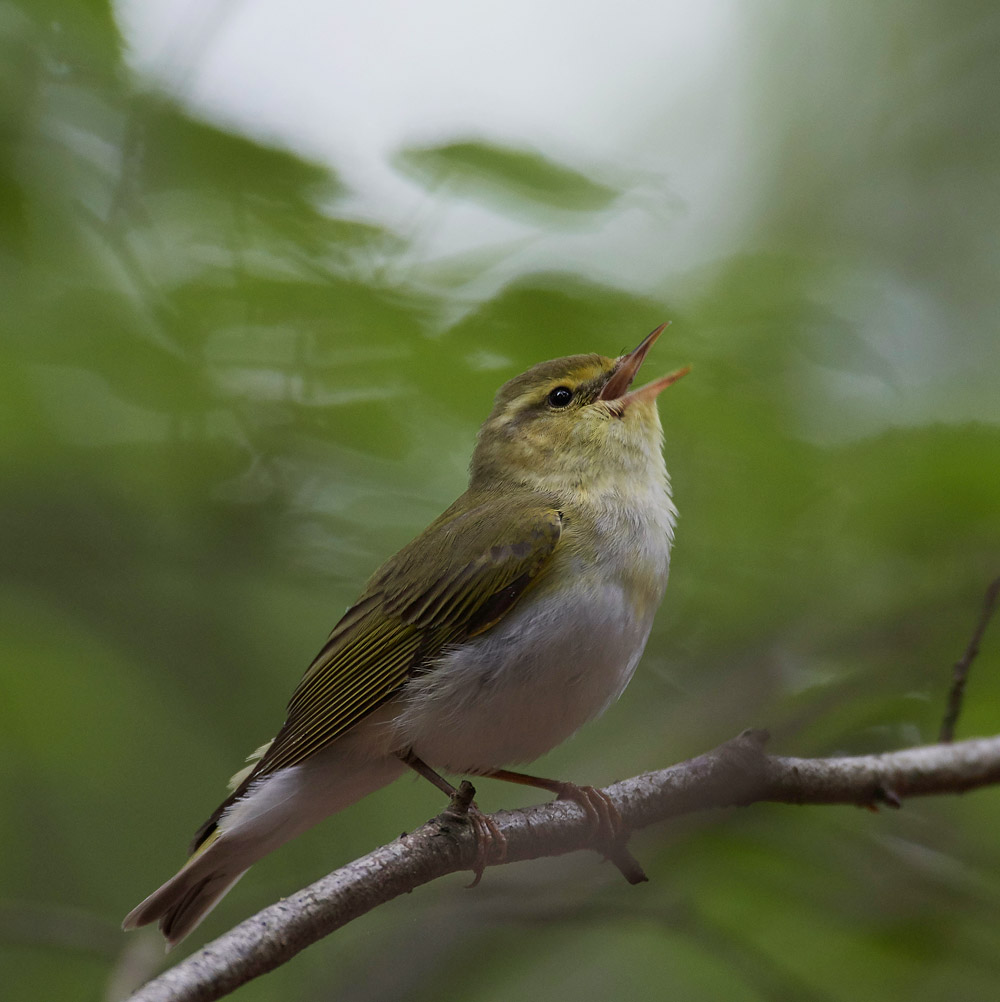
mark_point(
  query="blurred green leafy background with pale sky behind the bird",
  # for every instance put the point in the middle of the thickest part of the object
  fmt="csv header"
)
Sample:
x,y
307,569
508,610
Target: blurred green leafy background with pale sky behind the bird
x,y
262,269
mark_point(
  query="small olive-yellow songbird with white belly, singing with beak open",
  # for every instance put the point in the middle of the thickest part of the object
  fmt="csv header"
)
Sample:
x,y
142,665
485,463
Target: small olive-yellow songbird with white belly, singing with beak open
x,y
517,617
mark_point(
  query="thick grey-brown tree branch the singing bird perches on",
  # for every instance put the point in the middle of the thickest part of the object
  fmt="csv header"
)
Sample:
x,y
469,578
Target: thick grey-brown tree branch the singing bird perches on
x,y
738,773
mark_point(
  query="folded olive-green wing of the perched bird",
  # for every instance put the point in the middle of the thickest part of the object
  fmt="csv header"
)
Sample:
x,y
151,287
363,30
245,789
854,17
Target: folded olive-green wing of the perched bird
x,y
456,581
